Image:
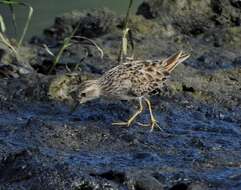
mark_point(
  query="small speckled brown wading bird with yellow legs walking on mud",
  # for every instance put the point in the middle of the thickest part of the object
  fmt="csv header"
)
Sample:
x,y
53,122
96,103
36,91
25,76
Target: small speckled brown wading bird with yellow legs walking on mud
x,y
135,79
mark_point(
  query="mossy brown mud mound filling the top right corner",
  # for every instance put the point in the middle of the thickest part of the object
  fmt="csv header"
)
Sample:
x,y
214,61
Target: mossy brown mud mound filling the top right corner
x,y
192,17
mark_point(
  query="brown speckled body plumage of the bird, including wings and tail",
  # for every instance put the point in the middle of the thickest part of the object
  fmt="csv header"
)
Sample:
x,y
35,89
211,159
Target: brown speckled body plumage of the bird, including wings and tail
x,y
138,77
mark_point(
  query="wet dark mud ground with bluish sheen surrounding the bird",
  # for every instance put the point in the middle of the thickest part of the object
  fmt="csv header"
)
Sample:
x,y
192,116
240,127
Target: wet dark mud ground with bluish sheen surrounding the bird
x,y
43,146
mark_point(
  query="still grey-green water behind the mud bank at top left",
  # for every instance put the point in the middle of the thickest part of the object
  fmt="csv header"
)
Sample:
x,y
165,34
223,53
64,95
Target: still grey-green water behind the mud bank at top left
x,y
45,11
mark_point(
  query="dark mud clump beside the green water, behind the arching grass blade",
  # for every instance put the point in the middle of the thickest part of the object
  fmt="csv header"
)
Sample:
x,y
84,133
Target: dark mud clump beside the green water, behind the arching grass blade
x,y
91,24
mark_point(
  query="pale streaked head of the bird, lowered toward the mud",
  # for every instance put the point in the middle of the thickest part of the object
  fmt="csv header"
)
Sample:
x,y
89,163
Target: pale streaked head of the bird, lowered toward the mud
x,y
88,90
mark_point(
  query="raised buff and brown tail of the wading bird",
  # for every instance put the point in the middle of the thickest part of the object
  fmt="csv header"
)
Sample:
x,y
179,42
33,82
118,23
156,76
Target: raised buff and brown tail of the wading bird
x,y
171,62
